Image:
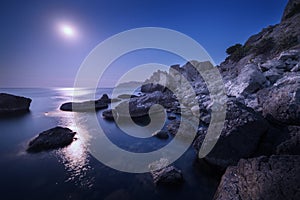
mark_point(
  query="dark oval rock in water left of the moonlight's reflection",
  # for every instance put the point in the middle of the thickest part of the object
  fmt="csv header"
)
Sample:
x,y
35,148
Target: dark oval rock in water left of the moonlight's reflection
x,y
54,138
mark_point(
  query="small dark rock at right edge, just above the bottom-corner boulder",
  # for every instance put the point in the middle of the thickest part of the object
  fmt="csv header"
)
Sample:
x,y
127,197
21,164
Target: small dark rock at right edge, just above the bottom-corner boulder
x,y
292,145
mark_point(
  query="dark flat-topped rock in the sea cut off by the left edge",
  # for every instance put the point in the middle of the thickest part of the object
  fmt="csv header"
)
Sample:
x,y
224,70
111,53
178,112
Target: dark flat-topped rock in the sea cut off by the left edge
x,y
11,104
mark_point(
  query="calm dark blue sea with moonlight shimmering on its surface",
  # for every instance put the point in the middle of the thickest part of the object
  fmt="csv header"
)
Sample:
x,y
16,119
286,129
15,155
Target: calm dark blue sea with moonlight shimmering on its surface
x,y
72,172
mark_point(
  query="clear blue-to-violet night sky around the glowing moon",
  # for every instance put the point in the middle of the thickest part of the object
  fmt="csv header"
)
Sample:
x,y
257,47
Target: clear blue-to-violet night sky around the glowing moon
x,y
34,54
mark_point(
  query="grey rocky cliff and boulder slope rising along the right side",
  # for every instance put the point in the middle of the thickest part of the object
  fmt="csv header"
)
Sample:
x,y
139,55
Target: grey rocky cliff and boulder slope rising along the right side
x,y
262,82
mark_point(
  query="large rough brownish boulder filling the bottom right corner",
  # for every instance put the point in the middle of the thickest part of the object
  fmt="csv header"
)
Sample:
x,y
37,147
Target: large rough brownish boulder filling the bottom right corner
x,y
276,177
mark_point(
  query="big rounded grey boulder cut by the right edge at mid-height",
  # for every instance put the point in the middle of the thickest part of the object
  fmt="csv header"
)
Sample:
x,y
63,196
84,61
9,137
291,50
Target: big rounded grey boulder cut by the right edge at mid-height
x,y
281,102
